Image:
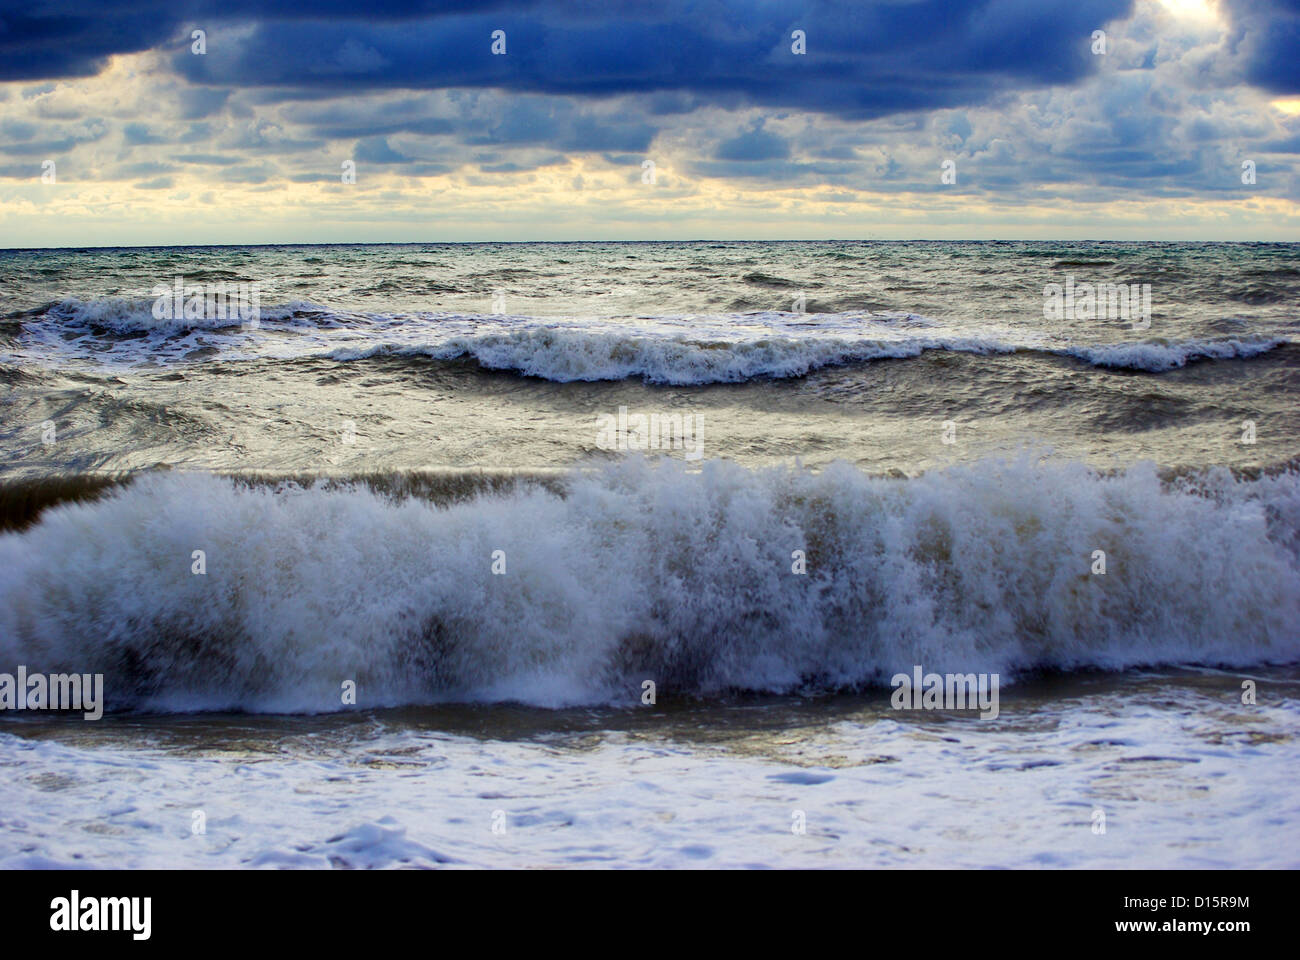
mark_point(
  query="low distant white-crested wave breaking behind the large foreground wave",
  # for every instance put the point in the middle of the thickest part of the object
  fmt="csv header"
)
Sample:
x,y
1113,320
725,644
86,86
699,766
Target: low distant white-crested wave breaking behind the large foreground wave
x,y
688,352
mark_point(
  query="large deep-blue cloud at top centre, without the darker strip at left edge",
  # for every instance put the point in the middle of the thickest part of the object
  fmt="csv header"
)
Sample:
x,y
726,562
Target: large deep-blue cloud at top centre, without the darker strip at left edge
x,y
863,60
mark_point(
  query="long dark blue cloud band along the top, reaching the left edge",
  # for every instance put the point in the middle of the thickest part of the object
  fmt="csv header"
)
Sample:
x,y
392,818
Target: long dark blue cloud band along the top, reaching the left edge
x,y
863,60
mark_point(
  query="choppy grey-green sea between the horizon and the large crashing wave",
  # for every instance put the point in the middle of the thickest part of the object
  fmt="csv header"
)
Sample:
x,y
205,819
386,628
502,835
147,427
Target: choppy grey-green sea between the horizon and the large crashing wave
x,y
397,348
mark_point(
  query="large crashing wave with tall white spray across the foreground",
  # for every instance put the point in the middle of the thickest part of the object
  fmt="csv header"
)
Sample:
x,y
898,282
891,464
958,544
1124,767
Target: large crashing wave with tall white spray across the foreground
x,y
644,570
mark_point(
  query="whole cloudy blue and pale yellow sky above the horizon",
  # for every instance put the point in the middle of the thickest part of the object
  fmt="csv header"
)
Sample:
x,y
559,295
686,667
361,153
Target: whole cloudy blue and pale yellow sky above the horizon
x,y
193,122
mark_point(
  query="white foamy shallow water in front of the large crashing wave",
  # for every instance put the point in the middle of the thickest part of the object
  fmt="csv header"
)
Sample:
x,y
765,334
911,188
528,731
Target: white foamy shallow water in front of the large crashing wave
x,y
1184,775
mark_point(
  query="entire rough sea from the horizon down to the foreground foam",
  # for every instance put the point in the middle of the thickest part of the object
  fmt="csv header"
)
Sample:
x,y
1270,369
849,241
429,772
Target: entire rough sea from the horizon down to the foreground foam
x,y
436,473
